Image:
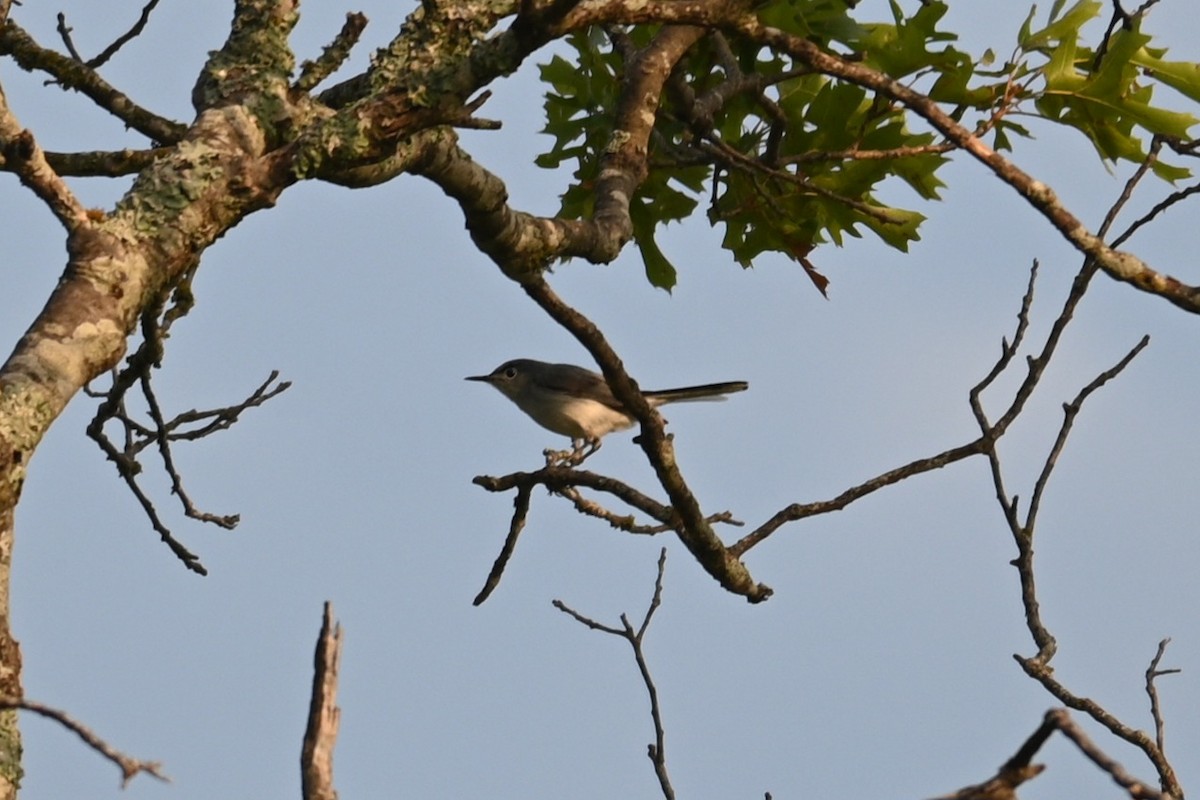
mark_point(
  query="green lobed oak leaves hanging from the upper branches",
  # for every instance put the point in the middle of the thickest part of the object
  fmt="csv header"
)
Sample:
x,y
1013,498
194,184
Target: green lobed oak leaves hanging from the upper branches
x,y
790,159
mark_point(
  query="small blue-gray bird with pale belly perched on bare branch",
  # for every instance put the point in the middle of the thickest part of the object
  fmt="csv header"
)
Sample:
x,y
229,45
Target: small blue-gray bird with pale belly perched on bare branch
x,y
578,402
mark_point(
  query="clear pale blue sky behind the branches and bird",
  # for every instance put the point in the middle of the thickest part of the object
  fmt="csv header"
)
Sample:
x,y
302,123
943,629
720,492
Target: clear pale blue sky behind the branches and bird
x,y
883,666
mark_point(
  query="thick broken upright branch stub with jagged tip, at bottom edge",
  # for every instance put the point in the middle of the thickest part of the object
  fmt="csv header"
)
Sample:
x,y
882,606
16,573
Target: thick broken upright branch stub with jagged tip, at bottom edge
x,y
325,717
